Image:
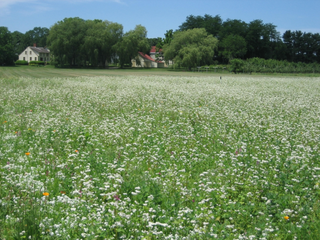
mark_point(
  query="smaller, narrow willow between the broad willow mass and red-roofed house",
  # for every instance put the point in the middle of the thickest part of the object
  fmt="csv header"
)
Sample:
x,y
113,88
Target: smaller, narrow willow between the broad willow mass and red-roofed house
x,y
131,43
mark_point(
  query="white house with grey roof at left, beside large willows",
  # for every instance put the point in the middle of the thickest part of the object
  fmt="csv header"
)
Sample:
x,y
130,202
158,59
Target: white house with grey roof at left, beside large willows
x,y
35,54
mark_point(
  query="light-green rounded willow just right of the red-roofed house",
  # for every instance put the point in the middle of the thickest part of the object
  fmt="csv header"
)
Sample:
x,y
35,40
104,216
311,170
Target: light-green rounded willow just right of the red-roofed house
x,y
191,48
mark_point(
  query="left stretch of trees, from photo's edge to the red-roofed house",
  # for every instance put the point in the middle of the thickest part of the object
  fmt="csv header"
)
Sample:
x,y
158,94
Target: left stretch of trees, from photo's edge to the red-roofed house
x,y
76,42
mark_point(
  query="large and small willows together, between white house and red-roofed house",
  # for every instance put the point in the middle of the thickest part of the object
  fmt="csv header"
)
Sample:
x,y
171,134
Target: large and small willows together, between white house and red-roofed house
x,y
78,42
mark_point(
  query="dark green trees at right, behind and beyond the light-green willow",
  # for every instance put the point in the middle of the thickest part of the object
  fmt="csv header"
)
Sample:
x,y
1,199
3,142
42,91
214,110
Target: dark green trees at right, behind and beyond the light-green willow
x,y
238,39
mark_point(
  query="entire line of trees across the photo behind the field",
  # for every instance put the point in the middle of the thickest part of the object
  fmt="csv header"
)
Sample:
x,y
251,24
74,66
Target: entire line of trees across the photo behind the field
x,y
78,42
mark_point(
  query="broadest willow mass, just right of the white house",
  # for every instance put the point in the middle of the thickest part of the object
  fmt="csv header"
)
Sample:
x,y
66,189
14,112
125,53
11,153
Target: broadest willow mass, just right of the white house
x,y
76,42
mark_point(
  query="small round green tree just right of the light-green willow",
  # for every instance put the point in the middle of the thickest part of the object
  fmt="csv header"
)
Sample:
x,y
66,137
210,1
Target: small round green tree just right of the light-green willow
x,y
233,46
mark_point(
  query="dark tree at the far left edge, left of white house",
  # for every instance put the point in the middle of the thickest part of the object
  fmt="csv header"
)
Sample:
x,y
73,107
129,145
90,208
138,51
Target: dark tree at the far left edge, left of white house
x,y
6,47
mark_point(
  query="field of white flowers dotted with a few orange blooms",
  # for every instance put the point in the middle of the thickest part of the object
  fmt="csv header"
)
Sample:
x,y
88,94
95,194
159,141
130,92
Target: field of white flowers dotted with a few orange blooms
x,y
160,157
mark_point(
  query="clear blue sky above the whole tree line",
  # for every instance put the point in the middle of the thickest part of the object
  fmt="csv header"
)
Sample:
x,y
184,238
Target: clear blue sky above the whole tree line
x,y
159,16
